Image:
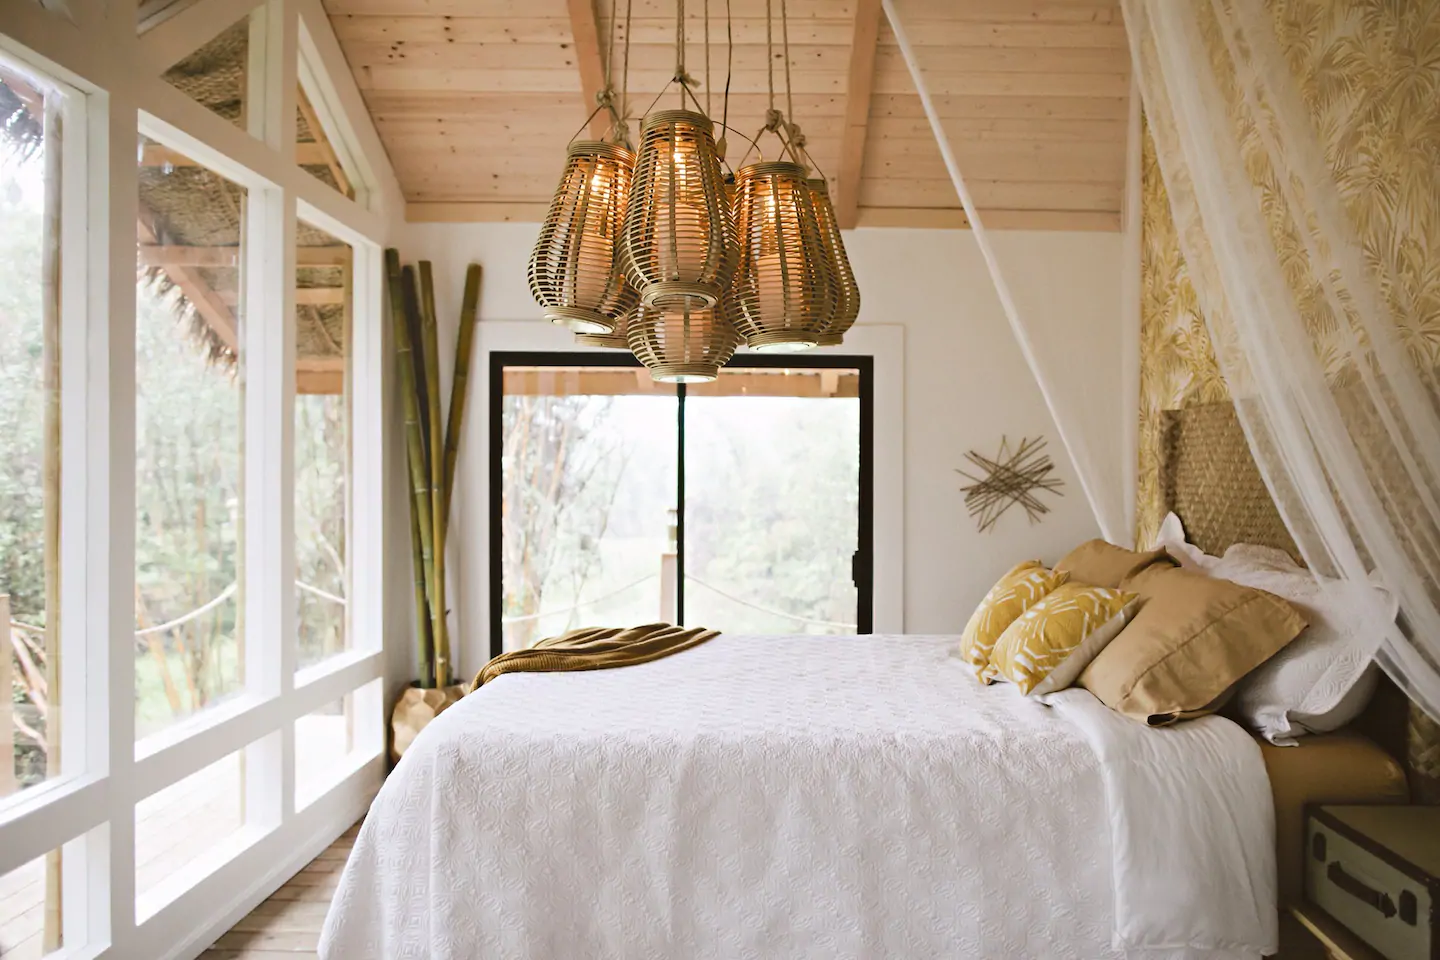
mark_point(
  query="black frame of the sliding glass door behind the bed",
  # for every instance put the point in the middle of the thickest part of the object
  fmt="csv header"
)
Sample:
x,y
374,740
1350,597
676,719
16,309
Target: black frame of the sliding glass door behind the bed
x,y
863,561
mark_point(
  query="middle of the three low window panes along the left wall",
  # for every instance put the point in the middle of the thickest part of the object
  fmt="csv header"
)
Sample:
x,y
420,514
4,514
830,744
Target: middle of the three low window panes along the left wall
x,y
186,831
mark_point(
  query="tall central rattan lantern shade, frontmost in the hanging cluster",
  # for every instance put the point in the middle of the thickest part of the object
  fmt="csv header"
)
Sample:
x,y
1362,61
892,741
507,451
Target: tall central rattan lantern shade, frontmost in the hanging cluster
x,y
679,237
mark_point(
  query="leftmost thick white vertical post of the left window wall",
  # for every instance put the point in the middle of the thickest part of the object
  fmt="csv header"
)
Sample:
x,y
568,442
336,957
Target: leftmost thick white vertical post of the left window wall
x,y
110,479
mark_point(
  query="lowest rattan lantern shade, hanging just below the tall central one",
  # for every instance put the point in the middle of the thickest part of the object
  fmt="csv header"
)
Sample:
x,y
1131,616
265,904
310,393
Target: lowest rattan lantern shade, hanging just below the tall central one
x,y
682,345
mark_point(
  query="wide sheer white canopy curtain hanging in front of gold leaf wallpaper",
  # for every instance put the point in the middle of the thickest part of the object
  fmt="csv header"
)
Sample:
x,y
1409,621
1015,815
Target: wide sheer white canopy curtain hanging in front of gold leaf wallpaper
x,y
1318,336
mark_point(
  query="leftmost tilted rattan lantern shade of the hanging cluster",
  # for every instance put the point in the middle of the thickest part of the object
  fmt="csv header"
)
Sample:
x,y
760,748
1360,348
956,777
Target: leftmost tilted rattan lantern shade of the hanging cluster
x,y
575,268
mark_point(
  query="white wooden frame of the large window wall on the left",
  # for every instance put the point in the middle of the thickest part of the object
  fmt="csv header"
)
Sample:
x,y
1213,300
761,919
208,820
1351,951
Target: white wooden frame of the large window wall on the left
x,y
110,73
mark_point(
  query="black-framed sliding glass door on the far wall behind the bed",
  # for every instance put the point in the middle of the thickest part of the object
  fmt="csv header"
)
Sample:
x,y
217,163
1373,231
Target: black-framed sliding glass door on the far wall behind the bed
x,y
742,504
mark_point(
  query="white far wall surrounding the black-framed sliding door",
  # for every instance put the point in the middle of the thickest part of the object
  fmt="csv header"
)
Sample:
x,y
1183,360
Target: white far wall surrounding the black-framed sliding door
x,y
967,384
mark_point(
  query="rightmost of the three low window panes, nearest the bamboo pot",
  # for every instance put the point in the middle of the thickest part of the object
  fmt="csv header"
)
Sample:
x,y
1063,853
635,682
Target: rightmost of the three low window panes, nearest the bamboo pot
x,y
332,741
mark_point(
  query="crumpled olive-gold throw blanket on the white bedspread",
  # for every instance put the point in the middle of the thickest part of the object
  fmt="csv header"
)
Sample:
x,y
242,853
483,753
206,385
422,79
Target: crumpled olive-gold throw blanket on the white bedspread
x,y
595,648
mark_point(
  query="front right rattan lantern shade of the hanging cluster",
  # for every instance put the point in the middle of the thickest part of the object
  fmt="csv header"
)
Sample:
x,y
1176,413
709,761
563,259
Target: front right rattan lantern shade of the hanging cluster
x,y
783,289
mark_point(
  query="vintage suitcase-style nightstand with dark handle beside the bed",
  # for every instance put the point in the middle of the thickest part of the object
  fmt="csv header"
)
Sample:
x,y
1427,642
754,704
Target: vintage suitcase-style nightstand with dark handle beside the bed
x,y
1373,882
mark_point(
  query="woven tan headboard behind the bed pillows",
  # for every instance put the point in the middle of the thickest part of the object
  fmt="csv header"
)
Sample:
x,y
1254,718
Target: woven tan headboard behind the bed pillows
x,y
1212,483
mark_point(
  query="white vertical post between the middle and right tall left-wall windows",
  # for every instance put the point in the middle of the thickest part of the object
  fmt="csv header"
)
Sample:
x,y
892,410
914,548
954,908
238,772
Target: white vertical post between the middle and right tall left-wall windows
x,y
270,418
